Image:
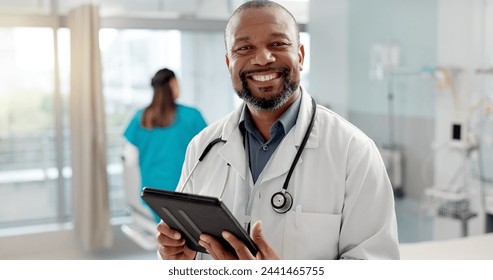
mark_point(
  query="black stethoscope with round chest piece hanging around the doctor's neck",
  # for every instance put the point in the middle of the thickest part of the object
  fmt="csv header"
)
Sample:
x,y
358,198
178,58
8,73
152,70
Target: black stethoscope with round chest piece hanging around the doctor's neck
x,y
281,201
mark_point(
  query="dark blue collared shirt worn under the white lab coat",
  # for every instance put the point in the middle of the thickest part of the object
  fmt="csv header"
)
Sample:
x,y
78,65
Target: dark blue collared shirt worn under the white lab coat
x,y
260,151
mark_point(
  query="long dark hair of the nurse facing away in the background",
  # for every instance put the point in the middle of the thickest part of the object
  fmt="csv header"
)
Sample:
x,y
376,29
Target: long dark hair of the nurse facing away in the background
x,y
162,110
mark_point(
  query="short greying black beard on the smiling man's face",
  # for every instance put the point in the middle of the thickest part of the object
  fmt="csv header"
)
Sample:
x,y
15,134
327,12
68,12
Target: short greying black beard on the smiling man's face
x,y
267,103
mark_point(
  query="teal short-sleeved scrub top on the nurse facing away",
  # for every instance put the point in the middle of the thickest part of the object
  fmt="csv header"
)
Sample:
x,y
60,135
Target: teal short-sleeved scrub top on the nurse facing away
x,y
162,150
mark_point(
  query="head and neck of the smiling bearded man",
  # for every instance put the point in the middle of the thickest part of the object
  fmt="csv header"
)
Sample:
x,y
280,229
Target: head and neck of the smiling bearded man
x,y
264,57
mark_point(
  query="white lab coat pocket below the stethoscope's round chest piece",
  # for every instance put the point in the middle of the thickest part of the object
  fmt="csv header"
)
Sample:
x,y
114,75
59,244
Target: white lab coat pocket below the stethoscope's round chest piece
x,y
311,235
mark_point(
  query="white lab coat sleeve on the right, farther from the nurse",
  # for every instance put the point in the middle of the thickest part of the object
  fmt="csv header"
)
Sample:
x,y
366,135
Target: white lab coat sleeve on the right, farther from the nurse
x,y
369,226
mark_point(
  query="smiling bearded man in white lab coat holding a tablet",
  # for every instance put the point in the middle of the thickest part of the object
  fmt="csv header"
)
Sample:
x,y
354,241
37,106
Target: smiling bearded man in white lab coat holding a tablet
x,y
302,180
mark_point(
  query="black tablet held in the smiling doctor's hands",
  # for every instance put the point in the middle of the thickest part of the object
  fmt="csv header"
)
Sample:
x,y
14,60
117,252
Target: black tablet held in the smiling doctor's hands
x,y
193,215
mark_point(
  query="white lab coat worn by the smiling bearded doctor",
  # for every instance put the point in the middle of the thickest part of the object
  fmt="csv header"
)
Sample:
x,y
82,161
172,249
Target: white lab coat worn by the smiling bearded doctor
x,y
343,200
